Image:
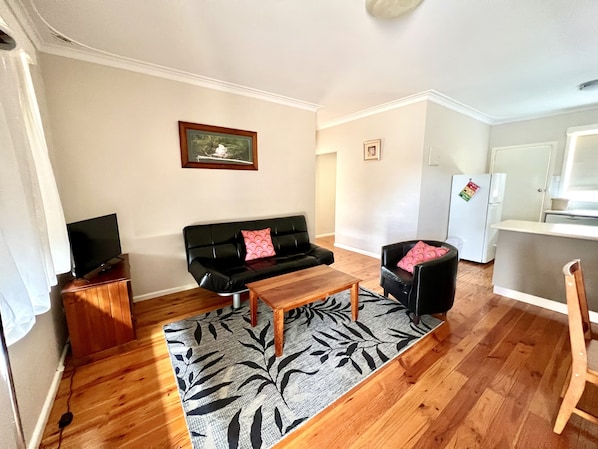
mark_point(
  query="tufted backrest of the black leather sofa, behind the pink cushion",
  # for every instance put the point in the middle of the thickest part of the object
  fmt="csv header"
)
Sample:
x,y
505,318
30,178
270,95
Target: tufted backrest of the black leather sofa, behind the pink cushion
x,y
224,241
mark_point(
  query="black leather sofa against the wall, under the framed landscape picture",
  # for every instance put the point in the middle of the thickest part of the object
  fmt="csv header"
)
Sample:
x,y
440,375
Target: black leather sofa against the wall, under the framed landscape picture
x,y
216,253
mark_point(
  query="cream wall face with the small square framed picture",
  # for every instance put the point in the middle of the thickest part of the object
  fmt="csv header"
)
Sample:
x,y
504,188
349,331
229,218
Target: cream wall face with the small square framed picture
x,y
377,201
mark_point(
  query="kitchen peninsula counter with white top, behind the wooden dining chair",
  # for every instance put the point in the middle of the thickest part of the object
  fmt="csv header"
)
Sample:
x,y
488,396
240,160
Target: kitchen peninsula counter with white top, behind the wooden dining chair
x,y
530,257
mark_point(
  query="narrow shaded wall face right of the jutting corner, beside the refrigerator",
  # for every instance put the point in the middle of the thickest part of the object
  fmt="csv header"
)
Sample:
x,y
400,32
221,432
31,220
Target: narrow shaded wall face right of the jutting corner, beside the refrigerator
x,y
461,144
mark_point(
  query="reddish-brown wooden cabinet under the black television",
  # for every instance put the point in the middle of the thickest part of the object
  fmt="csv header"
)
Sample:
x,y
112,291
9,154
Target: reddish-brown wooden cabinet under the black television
x,y
99,313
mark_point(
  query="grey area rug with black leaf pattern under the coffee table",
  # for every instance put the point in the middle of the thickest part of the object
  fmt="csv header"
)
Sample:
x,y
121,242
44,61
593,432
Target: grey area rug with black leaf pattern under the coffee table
x,y
237,394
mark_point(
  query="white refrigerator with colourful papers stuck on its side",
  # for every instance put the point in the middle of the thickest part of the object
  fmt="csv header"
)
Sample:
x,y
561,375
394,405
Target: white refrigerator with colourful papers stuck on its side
x,y
476,204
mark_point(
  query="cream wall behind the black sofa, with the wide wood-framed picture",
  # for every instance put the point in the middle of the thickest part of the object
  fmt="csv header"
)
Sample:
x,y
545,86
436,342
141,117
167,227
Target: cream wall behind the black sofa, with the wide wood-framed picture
x,y
117,150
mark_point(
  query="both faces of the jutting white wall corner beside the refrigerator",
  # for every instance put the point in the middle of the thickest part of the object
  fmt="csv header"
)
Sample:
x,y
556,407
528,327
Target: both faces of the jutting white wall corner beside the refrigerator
x,y
401,197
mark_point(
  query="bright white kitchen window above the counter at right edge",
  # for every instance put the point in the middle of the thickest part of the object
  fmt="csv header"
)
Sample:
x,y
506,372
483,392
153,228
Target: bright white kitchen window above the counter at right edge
x,y
580,166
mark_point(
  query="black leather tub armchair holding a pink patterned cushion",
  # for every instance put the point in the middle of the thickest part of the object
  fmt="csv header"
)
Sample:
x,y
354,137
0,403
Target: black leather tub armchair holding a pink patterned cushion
x,y
431,287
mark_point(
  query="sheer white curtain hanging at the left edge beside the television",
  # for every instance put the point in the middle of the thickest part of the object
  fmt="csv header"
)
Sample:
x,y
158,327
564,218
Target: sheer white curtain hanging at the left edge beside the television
x,y
33,240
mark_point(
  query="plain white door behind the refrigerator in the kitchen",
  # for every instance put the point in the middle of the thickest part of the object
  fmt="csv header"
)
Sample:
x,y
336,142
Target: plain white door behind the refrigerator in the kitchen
x,y
527,168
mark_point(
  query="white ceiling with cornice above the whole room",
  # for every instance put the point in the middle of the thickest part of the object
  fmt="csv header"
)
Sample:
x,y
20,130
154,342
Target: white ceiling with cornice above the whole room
x,y
500,60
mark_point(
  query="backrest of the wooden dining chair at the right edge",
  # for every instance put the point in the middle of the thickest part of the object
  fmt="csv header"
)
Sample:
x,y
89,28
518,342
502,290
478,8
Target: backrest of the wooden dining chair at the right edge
x,y
578,315
